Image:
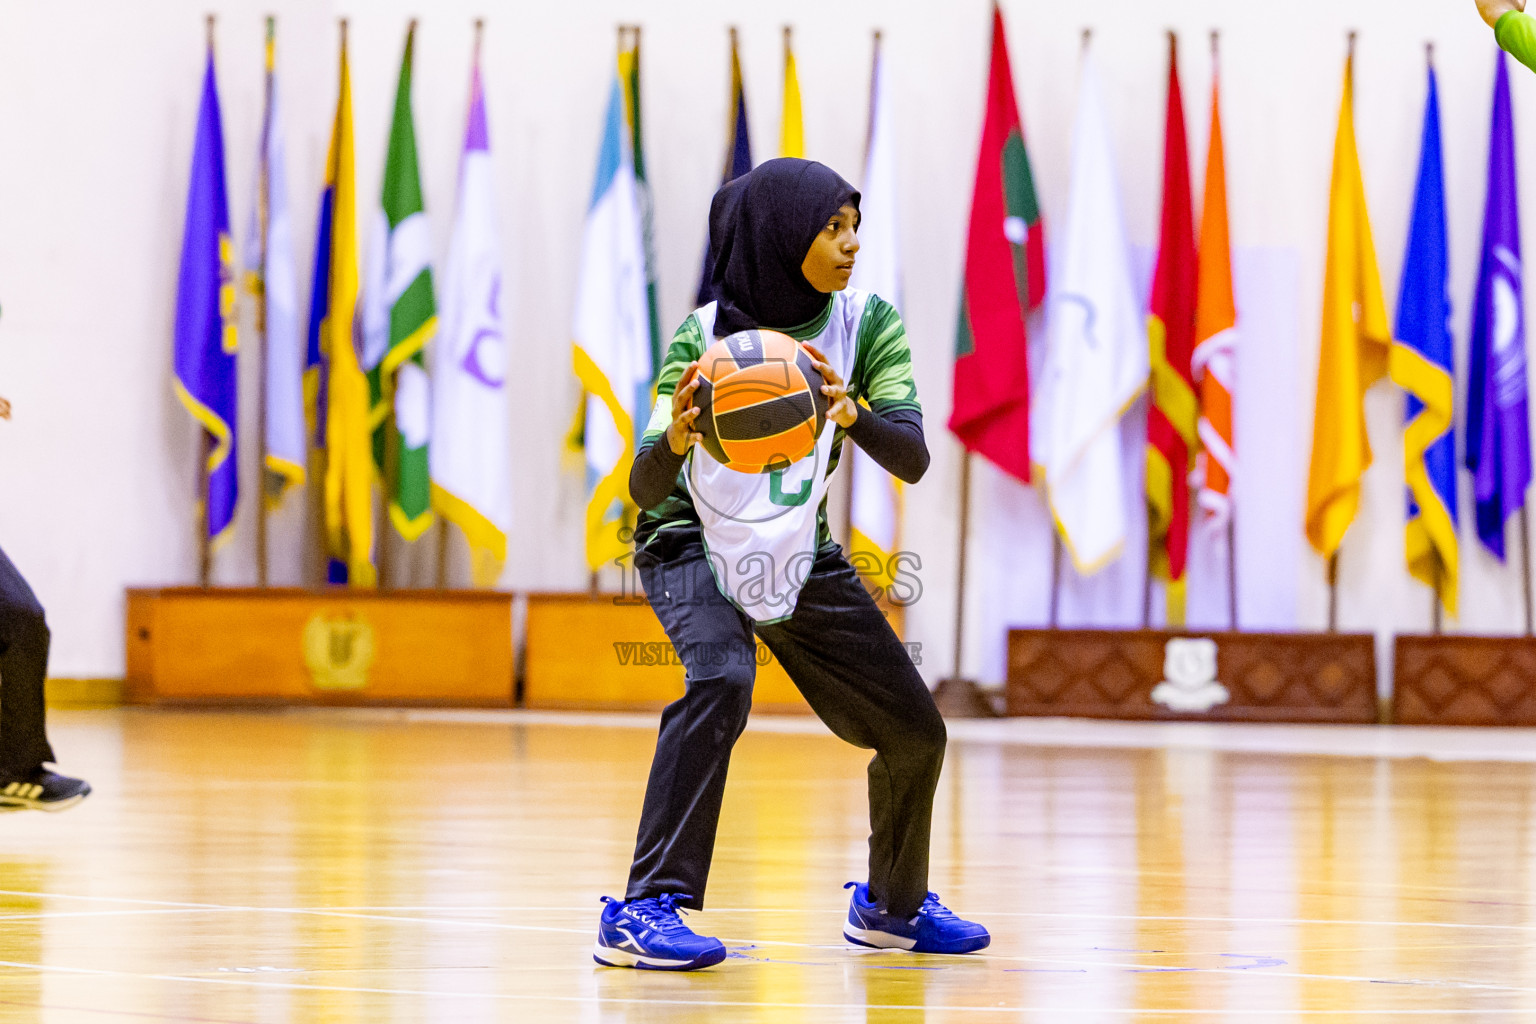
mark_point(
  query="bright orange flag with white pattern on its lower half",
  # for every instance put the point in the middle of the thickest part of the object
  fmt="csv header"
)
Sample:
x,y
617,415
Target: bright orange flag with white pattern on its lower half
x,y
1216,332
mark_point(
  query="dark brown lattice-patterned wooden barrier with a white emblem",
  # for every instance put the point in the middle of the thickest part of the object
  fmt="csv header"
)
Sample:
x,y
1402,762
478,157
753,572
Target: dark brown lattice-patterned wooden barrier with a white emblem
x,y
1211,676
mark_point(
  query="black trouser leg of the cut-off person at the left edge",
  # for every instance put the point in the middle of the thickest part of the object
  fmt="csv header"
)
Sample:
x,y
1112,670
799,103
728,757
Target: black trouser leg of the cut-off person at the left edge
x,y
24,666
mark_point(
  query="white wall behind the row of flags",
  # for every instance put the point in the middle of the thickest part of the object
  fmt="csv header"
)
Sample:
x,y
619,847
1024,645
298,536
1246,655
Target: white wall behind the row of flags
x,y
98,107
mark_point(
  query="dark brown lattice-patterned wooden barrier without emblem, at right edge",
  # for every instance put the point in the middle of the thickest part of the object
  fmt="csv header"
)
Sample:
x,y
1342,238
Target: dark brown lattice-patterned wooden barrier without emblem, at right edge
x,y
1465,681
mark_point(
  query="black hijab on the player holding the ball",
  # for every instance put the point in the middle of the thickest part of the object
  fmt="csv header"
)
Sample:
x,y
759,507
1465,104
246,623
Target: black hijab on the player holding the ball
x,y
761,228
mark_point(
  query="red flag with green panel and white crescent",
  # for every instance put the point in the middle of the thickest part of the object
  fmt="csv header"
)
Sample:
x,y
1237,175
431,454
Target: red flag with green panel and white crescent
x,y
1005,277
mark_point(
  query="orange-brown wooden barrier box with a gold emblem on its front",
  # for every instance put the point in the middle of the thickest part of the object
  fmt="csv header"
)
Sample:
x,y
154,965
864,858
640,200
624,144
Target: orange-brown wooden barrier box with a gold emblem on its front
x,y
334,647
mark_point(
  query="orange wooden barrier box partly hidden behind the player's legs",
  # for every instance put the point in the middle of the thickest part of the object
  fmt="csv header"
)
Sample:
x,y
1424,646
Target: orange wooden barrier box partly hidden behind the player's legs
x,y
609,653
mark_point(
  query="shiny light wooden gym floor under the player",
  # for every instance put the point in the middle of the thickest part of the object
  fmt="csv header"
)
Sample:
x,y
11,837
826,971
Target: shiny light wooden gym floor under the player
x,y
446,867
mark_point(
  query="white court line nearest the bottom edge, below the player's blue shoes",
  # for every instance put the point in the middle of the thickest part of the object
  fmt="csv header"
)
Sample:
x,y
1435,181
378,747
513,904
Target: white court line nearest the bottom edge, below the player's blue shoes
x,y
598,1000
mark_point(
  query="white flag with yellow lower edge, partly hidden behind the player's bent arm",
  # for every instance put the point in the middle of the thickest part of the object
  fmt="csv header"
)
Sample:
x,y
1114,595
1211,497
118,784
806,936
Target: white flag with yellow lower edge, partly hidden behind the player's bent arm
x,y
876,507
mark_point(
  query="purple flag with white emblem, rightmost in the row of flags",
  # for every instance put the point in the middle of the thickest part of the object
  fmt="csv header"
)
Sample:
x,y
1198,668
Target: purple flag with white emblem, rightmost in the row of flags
x,y
1498,432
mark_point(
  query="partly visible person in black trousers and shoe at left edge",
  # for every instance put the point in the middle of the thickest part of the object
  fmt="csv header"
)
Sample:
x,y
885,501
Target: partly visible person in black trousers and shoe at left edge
x,y
25,784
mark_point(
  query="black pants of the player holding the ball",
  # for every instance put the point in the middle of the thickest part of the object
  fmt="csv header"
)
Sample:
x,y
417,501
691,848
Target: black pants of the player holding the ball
x,y
853,672
